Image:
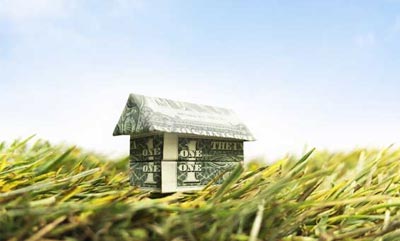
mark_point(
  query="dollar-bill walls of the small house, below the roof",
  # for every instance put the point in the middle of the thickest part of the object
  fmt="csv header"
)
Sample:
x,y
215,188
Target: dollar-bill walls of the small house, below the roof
x,y
170,162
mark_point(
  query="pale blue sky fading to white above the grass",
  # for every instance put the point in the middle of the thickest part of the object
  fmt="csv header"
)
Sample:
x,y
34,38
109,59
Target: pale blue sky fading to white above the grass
x,y
299,73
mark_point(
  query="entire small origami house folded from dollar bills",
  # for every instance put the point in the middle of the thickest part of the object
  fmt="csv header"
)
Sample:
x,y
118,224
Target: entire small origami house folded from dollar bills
x,y
179,146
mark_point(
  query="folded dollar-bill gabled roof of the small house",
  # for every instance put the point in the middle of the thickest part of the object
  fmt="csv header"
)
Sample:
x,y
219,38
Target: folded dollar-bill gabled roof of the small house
x,y
143,114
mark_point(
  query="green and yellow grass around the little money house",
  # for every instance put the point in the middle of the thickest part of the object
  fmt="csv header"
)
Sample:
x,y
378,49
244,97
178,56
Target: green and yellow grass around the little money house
x,y
64,193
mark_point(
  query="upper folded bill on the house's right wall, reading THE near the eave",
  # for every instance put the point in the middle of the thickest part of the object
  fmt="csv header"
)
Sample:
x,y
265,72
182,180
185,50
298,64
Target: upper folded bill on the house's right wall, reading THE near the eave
x,y
198,149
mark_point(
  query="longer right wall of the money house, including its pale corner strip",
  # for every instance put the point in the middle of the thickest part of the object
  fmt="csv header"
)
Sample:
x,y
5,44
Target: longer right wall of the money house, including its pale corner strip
x,y
191,163
